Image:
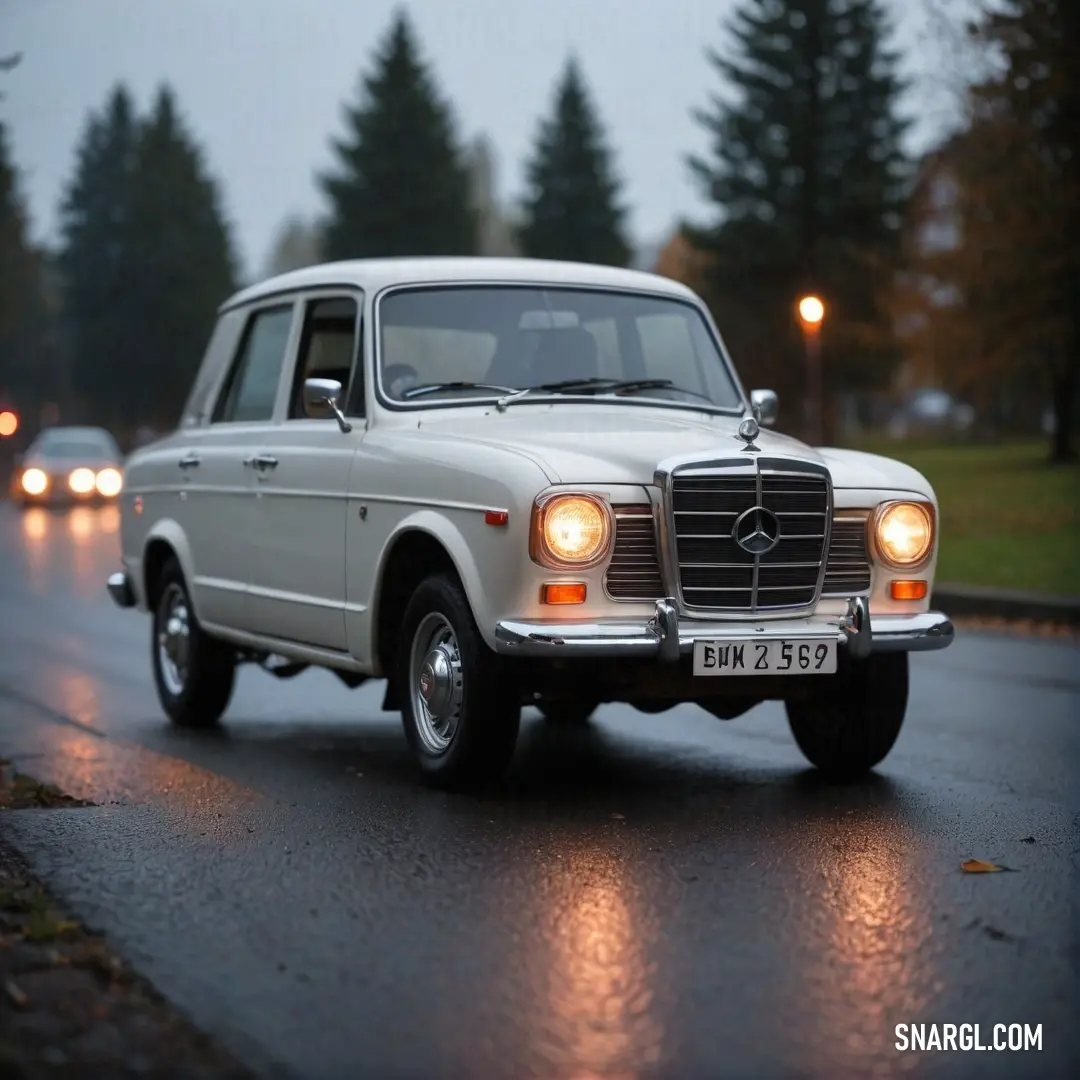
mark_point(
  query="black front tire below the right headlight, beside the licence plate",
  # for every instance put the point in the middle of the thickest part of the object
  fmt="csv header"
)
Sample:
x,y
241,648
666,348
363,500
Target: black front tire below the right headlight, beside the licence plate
x,y
853,724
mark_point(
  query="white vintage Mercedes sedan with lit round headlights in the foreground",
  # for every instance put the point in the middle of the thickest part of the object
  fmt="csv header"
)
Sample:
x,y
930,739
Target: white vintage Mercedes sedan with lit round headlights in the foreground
x,y
509,483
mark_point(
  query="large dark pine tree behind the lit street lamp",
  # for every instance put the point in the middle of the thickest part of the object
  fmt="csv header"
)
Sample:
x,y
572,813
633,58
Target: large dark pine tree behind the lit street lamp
x,y
808,178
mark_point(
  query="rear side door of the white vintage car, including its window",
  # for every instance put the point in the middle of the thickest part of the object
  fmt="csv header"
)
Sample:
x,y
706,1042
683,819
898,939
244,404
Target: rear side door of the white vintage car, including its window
x,y
219,464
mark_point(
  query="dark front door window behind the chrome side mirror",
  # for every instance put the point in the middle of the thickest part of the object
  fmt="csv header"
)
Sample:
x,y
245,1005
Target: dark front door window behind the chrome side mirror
x,y
330,350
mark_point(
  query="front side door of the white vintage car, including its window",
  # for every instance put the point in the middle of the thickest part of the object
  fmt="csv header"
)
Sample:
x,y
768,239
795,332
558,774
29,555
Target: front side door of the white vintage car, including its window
x,y
299,585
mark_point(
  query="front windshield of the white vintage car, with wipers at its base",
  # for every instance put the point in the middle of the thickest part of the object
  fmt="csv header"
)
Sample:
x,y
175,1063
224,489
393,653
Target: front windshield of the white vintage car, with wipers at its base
x,y
458,343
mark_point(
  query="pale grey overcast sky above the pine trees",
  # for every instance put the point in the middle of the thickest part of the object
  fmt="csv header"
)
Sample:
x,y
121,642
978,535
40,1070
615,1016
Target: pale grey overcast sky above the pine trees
x,y
262,85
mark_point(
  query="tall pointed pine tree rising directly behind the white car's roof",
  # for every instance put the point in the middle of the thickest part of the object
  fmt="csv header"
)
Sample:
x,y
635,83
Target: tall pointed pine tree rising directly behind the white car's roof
x,y
401,186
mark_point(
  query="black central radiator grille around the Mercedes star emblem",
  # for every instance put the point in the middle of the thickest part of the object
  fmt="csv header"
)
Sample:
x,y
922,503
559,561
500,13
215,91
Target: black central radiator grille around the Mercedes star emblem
x,y
717,574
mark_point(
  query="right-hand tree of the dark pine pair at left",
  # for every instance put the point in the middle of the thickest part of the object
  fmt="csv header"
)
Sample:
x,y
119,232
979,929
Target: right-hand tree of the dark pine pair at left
x,y
180,248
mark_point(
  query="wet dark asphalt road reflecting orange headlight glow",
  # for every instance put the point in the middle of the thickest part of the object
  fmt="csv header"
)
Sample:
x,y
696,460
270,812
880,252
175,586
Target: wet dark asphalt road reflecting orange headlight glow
x,y
654,897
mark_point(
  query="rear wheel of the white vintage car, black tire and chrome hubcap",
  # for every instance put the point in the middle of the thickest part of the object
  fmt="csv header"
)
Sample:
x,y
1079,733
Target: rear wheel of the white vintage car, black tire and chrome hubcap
x,y
196,693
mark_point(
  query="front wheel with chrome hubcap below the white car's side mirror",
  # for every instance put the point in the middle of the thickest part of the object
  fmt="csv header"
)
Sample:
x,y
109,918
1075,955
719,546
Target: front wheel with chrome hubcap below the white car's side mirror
x,y
480,708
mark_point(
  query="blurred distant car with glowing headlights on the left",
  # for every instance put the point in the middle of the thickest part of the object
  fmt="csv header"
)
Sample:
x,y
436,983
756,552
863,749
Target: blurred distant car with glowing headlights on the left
x,y
69,465
